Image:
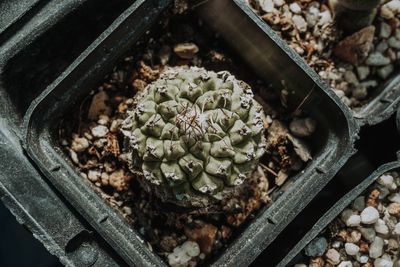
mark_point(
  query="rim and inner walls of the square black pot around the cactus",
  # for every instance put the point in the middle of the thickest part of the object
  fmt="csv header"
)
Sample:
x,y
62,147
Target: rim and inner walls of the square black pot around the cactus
x,y
264,53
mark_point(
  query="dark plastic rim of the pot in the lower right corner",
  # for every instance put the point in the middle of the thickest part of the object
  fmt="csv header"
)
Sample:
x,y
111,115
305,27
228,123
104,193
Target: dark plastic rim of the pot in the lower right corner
x,y
296,253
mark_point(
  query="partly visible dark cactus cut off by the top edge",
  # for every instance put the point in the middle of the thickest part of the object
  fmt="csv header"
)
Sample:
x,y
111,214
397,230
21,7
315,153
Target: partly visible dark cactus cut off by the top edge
x,y
353,15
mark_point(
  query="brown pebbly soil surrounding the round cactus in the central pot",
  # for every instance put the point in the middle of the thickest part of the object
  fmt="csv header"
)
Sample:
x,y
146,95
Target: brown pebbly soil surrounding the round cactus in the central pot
x,y
90,136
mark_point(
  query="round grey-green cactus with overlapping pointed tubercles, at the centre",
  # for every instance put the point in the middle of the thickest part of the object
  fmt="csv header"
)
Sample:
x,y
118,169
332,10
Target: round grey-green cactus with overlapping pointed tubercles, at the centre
x,y
195,136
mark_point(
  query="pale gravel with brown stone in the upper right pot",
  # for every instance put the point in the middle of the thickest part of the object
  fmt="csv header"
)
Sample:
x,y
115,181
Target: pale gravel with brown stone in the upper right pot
x,y
371,54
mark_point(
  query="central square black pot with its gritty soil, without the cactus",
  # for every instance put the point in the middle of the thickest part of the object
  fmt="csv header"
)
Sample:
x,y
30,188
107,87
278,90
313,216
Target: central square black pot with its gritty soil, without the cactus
x,y
93,97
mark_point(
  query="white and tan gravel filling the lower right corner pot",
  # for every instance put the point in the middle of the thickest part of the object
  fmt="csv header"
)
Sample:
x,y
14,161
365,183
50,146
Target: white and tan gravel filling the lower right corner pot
x,y
372,242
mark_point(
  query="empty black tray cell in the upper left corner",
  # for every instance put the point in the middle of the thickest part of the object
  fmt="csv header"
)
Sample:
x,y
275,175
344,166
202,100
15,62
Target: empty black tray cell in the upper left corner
x,y
27,73
